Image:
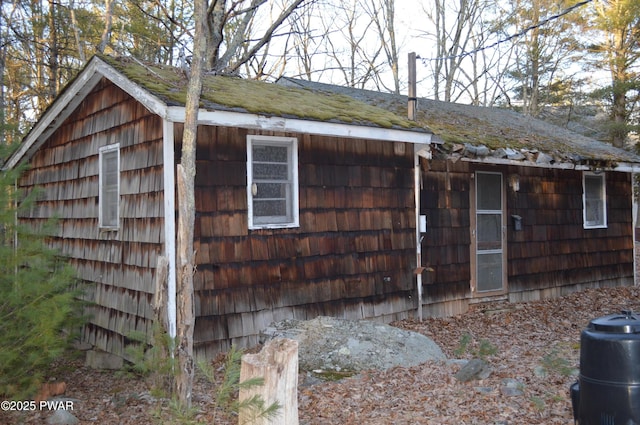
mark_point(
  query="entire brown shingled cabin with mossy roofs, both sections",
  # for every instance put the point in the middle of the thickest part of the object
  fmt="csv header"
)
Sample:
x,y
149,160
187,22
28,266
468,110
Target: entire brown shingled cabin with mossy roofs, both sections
x,y
317,200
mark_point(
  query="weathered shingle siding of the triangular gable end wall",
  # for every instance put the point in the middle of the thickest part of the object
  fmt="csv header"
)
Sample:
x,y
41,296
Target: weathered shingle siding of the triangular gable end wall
x,y
116,267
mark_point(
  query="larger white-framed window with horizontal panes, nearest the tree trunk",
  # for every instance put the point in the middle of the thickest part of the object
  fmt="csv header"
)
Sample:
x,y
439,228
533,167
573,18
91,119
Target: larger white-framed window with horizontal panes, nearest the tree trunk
x,y
272,182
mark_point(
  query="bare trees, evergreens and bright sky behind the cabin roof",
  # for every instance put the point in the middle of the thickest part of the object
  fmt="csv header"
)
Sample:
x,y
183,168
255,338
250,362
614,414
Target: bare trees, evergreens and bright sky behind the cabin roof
x,y
576,63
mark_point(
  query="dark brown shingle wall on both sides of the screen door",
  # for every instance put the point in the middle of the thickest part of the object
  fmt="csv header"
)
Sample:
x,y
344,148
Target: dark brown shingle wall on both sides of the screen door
x,y
552,255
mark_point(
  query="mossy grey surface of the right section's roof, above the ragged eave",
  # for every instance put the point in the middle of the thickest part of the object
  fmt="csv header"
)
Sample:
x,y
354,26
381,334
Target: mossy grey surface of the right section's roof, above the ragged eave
x,y
492,127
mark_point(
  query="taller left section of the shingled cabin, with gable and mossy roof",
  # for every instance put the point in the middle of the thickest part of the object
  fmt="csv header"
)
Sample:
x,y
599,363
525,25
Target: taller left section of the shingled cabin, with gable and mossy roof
x,y
305,202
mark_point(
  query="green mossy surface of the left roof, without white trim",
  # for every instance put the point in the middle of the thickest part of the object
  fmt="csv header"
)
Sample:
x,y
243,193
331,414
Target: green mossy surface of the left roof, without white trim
x,y
223,92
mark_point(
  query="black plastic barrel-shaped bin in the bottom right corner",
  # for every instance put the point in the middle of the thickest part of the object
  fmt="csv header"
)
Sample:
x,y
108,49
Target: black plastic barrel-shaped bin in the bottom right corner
x,y
608,388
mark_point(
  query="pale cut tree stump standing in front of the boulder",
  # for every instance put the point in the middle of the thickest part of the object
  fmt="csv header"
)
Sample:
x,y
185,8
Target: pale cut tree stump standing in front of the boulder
x,y
277,364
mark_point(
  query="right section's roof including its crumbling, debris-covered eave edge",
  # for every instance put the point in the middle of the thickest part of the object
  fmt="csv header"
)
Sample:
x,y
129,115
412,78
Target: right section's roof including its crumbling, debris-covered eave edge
x,y
507,136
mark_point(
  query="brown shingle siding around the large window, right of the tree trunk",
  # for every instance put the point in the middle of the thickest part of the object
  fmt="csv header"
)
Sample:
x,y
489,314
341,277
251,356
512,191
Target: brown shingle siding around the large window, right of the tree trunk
x,y
352,256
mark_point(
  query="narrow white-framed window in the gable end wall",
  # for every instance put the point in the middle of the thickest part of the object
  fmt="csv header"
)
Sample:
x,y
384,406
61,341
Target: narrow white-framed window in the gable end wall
x,y
109,181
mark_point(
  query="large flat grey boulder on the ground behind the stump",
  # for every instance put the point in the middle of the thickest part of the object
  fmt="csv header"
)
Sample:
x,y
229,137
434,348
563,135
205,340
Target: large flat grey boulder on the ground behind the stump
x,y
332,344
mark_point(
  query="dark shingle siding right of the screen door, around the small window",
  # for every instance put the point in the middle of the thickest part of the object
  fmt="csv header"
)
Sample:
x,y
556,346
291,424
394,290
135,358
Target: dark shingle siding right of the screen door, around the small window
x,y
554,254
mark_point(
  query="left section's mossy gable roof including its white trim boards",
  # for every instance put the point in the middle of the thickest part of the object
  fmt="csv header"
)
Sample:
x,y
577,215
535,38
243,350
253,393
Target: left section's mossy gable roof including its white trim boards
x,y
225,101
